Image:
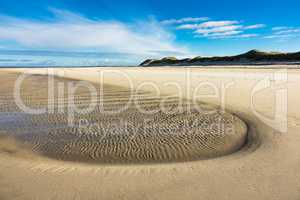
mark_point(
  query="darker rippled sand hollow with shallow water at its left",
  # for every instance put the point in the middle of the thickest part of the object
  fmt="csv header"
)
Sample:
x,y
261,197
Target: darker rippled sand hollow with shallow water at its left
x,y
124,127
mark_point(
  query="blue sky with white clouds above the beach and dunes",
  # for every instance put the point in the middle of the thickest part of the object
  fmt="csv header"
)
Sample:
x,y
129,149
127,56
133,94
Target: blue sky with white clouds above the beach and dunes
x,y
113,33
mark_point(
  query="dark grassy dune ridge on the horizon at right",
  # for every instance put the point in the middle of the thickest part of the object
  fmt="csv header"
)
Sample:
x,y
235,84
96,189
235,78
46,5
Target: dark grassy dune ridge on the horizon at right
x,y
253,57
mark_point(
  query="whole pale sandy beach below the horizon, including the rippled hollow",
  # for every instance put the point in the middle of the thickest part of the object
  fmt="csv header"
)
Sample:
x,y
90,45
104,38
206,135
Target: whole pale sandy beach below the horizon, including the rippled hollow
x,y
42,157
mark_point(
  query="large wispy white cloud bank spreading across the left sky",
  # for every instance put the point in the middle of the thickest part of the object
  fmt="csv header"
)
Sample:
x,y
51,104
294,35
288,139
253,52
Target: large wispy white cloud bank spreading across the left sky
x,y
68,30
